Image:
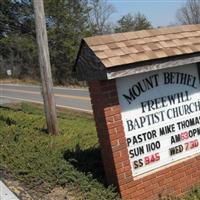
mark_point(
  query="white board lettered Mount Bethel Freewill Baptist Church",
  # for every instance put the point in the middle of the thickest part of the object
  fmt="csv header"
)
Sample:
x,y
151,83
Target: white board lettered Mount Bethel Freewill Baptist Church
x,y
161,116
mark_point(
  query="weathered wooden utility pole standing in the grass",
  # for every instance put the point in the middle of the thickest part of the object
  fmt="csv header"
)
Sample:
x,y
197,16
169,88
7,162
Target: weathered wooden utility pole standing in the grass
x,y
45,67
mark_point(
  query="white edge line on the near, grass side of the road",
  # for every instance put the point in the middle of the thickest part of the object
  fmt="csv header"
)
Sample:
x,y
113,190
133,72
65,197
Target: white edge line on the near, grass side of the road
x,y
39,102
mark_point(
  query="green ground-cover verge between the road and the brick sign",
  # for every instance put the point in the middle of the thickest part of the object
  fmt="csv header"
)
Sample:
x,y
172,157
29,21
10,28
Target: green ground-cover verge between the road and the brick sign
x,y
41,161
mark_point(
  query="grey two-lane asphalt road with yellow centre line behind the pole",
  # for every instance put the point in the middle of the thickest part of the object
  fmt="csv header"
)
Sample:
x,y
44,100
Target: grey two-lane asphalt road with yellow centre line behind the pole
x,y
71,98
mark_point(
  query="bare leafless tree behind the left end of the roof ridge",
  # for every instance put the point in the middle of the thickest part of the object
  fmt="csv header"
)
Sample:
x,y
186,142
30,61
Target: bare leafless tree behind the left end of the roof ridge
x,y
99,16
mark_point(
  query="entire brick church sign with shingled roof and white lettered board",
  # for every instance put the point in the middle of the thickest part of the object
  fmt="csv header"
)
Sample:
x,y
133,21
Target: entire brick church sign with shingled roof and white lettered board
x,y
145,95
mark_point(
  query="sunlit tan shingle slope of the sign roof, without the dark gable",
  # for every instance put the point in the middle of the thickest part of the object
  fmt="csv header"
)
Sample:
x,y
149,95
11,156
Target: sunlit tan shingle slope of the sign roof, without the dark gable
x,y
126,48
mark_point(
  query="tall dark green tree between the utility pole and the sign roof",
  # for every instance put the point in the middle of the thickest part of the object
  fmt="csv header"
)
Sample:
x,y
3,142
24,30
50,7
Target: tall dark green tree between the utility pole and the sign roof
x,y
67,25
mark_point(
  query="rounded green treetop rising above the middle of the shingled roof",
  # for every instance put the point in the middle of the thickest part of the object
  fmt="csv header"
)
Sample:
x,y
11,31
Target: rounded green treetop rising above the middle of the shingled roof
x,y
133,23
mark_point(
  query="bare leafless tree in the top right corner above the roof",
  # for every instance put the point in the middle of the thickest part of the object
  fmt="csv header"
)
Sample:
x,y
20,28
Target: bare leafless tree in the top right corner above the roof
x,y
189,13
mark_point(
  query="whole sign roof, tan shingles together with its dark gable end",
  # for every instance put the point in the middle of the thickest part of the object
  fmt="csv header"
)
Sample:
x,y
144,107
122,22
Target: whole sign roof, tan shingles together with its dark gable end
x,y
111,52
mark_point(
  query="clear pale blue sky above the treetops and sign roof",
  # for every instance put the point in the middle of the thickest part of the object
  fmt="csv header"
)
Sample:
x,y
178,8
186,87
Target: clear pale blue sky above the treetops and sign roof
x,y
158,12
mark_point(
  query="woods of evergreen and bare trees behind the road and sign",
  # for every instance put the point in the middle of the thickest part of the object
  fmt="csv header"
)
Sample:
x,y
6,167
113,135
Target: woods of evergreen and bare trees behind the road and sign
x,y
67,22
